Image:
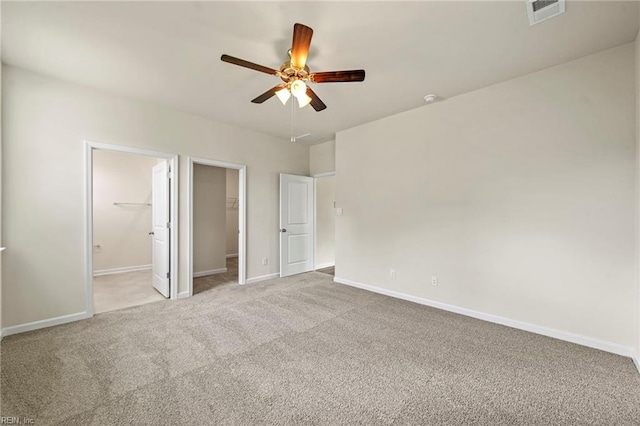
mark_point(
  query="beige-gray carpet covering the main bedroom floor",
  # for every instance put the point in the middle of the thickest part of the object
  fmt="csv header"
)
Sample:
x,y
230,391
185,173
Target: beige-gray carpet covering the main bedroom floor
x,y
303,350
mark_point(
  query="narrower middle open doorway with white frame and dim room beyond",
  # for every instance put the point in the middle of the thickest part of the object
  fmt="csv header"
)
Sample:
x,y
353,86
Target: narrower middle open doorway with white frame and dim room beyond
x,y
217,224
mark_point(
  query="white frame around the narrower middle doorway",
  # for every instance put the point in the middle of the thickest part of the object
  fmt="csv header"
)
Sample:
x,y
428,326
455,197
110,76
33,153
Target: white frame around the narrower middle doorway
x,y
242,219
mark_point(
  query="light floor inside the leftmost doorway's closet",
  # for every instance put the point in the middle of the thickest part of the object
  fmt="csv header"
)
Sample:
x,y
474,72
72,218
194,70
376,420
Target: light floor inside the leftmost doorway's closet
x,y
117,291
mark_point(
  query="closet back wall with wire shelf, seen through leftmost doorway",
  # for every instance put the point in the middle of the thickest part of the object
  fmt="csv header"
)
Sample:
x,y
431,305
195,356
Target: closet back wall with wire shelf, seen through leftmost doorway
x,y
121,231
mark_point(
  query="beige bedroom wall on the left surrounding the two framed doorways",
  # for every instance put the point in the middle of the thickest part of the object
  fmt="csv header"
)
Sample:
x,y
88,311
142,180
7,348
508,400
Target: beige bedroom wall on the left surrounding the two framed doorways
x,y
45,123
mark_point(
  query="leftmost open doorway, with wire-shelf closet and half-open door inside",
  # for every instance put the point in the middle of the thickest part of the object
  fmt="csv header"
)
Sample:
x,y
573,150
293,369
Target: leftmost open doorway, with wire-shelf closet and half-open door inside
x,y
130,238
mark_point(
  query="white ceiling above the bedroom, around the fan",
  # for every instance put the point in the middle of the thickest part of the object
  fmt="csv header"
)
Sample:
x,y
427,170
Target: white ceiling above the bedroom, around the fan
x,y
169,53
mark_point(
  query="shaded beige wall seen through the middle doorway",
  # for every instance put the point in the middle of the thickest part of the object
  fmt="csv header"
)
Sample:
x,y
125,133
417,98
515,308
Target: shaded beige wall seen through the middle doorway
x,y
209,219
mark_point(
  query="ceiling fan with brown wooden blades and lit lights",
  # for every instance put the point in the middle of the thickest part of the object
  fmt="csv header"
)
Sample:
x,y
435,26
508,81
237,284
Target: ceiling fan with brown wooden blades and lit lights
x,y
296,75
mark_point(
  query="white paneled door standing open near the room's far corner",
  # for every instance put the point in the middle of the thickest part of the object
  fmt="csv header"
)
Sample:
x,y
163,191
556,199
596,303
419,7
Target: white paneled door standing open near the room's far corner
x,y
296,224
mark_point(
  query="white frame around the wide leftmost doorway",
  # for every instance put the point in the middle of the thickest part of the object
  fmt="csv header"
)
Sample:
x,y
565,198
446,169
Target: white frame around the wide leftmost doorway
x,y
89,146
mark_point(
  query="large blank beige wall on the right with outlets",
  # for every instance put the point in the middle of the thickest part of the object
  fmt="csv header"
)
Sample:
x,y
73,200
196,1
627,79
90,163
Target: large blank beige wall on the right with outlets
x,y
519,197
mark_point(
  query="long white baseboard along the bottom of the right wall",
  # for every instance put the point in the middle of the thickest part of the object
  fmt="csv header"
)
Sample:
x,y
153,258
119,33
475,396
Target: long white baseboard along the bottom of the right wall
x,y
550,332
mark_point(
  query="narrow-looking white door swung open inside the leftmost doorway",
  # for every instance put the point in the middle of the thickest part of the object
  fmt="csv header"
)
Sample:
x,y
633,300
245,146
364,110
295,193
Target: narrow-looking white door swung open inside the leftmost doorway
x,y
161,224
